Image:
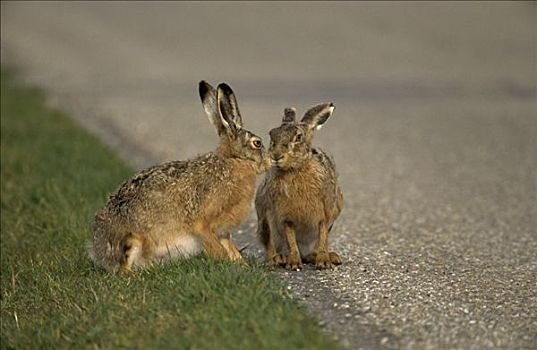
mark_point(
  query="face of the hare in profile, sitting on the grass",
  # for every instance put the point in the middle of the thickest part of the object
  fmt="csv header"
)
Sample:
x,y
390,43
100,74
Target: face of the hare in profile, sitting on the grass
x,y
248,146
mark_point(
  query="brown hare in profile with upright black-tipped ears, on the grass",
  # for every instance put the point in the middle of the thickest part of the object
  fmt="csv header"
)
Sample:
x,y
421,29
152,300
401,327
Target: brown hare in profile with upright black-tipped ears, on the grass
x,y
179,208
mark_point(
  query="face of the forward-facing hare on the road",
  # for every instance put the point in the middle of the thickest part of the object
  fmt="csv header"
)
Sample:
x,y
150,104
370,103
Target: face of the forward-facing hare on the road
x,y
289,145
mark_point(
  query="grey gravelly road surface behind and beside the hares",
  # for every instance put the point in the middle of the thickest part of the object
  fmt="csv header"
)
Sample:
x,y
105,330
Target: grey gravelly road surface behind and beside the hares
x,y
434,135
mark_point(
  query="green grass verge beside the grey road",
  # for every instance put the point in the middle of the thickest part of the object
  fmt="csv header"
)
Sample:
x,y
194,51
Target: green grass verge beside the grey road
x,y
54,177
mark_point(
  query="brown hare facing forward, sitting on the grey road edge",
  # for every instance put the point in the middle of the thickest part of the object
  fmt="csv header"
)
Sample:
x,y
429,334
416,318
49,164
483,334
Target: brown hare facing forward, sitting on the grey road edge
x,y
299,199
